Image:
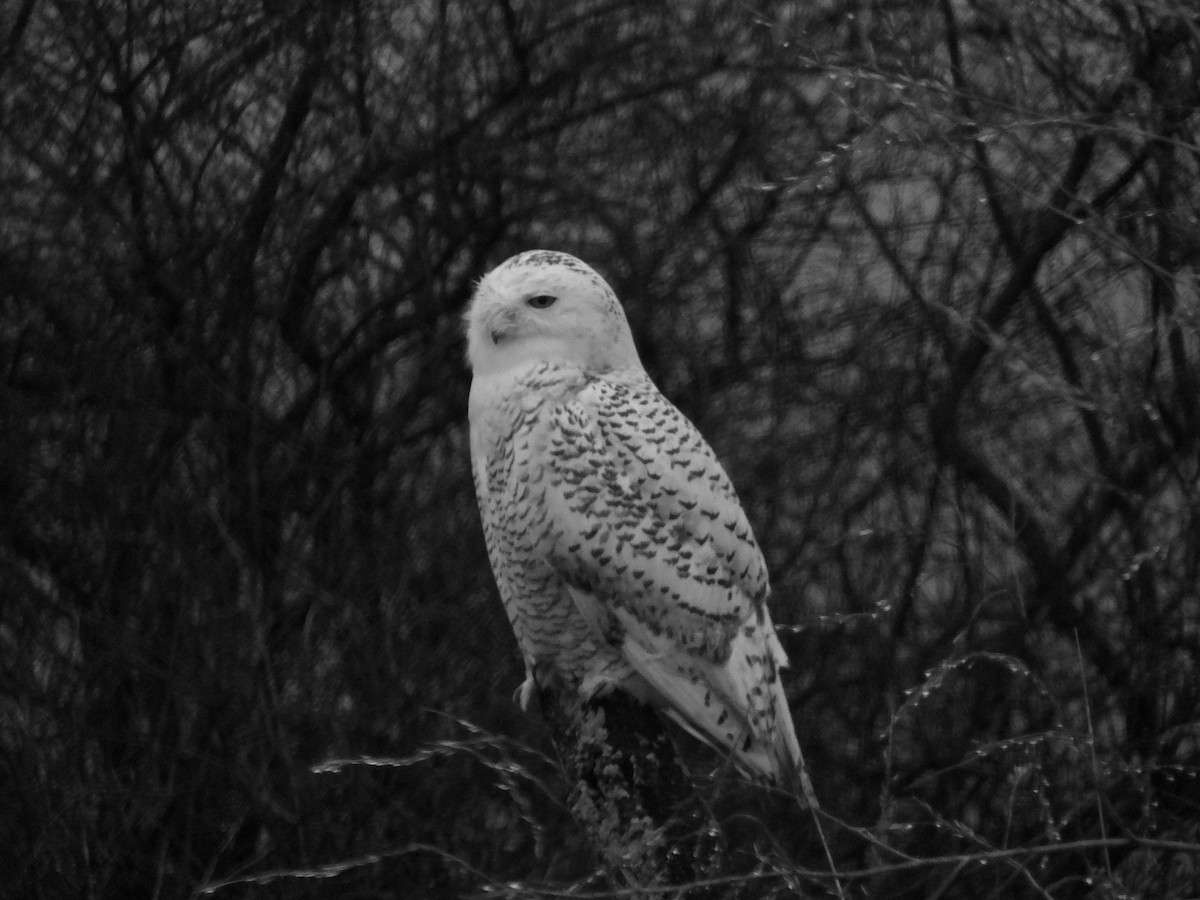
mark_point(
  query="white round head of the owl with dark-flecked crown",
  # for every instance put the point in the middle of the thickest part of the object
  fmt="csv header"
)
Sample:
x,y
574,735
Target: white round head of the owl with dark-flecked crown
x,y
542,305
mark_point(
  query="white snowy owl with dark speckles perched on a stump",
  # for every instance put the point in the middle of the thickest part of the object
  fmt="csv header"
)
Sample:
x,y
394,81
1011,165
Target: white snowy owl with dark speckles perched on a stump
x,y
621,551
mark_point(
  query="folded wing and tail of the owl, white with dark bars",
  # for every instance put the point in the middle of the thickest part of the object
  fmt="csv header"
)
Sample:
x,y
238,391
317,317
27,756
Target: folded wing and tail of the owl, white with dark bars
x,y
646,529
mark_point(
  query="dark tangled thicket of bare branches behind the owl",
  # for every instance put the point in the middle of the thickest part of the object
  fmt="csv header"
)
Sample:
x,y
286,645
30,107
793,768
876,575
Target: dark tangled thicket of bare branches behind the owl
x,y
925,274
